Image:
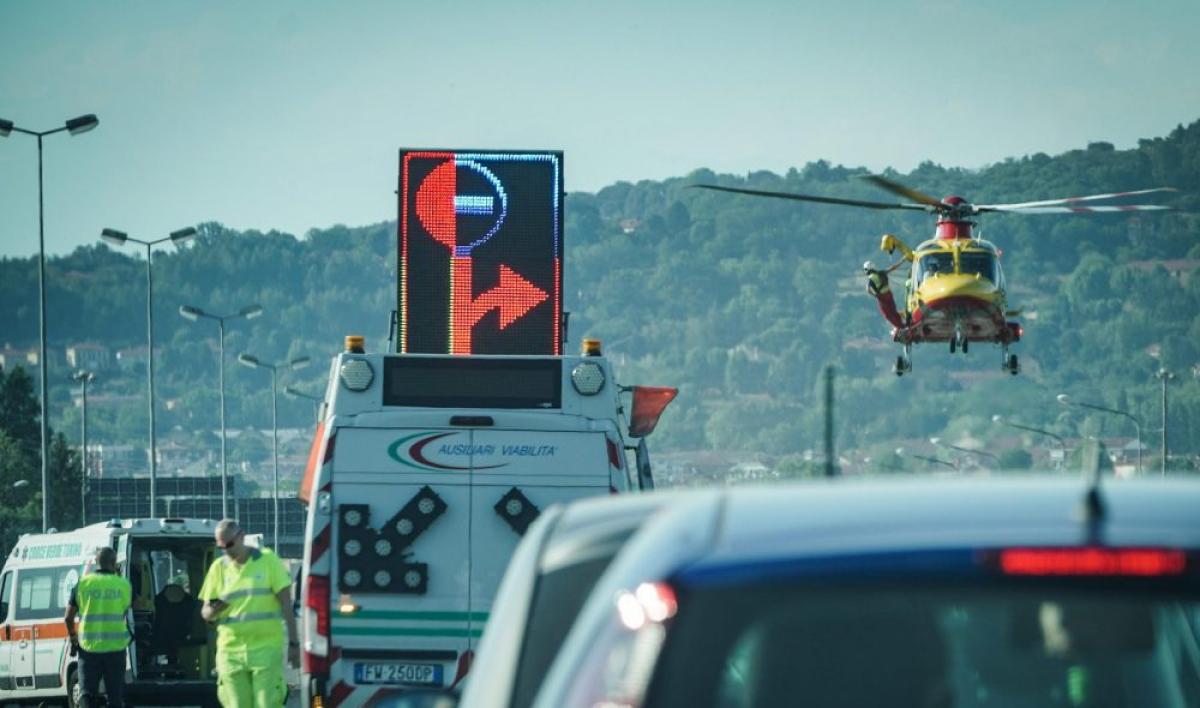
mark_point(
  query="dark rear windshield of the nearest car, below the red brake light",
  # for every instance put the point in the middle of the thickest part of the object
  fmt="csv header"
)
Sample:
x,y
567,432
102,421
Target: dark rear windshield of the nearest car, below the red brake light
x,y
929,647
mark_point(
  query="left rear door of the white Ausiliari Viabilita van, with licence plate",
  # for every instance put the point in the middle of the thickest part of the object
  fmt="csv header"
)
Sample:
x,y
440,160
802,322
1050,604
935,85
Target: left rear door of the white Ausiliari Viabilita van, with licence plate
x,y
400,550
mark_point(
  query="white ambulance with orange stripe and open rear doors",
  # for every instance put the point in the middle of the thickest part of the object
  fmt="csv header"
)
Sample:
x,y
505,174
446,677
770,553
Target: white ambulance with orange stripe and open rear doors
x,y
171,659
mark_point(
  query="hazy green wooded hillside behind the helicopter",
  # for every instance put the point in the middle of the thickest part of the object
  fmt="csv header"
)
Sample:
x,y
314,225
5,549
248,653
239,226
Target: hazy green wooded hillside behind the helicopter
x,y
740,303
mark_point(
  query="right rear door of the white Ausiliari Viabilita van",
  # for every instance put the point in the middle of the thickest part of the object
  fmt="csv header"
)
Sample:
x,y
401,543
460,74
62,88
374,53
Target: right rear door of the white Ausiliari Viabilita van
x,y
518,473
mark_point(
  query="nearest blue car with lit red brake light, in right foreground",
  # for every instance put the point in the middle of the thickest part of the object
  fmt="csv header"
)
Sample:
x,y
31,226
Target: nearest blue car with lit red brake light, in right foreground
x,y
921,593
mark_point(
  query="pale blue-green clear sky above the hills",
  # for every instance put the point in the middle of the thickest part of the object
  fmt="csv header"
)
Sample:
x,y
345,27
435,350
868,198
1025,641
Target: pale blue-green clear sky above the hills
x,y
289,115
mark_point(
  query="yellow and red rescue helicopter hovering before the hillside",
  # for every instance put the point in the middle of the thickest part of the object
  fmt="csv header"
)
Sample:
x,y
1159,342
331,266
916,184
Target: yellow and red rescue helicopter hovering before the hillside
x,y
956,291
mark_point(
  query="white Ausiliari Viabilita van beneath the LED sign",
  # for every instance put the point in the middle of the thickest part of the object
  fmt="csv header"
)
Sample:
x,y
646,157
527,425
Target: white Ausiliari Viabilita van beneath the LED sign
x,y
424,475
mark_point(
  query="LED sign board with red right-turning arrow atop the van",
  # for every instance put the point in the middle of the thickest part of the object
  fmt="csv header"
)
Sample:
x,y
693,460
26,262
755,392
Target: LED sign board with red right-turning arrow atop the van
x,y
481,253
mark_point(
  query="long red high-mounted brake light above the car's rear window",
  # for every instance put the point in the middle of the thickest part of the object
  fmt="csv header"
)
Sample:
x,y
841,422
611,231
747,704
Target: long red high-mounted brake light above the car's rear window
x,y
1109,562
